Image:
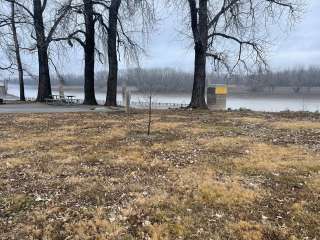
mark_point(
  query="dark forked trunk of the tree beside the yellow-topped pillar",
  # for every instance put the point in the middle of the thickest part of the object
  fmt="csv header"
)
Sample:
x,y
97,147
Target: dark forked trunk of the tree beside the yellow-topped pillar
x,y
199,23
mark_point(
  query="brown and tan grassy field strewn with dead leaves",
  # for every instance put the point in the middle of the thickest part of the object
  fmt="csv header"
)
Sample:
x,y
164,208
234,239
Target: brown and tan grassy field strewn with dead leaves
x,y
200,175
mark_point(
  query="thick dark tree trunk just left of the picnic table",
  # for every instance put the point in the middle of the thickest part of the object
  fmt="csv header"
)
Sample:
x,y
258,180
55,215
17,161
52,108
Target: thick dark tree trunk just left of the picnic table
x,y
44,87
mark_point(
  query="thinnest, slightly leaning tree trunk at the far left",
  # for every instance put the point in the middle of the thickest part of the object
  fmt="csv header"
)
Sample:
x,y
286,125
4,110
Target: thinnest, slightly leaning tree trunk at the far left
x,y
17,52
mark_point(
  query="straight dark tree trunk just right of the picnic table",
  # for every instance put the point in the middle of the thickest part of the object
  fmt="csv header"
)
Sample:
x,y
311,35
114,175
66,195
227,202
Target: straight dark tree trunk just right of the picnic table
x,y
89,54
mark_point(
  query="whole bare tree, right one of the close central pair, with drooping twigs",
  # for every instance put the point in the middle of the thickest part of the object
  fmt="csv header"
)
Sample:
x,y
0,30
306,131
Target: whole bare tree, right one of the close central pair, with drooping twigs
x,y
119,36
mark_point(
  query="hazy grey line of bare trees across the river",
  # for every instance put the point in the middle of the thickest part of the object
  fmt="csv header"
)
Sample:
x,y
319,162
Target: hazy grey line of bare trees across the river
x,y
168,80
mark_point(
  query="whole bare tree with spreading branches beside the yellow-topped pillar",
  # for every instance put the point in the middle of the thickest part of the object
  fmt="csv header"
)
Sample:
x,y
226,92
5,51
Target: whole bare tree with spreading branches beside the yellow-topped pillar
x,y
239,25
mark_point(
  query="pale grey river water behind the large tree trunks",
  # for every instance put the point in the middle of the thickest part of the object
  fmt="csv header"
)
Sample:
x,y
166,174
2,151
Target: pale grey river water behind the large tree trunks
x,y
256,103
